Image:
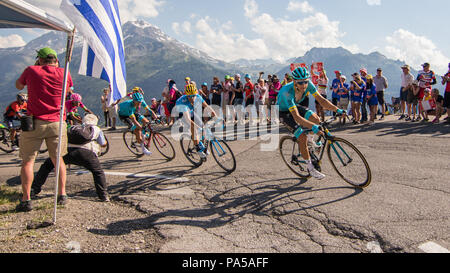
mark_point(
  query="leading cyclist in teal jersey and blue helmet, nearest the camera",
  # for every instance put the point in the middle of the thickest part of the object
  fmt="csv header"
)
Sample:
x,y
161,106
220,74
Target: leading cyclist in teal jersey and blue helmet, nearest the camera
x,y
295,116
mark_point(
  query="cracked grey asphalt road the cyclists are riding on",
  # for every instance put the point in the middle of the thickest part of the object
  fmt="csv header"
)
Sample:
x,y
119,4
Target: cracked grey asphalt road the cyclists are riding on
x,y
263,207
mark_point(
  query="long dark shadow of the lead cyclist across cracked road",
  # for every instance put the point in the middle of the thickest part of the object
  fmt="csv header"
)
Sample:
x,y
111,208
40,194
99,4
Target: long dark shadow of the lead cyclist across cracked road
x,y
264,198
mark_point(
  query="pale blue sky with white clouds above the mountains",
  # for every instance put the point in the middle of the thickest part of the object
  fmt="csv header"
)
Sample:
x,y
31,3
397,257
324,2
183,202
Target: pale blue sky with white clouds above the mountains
x,y
413,31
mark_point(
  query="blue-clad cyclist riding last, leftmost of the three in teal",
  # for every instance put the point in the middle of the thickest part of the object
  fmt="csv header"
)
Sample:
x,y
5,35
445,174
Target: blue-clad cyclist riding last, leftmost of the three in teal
x,y
128,113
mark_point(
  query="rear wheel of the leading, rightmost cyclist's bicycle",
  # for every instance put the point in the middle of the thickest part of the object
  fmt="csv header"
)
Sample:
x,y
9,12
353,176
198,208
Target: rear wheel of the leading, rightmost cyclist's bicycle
x,y
290,153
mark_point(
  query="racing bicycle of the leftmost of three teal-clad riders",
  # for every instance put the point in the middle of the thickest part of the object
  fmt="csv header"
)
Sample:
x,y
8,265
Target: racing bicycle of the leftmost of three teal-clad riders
x,y
160,141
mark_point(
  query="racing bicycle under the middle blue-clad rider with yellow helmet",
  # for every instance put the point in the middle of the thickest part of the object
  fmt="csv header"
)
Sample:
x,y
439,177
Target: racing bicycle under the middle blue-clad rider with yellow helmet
x,y
219,148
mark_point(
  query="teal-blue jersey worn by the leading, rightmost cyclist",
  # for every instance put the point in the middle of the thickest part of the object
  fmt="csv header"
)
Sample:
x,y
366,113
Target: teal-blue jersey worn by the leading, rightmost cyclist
x,y
286,96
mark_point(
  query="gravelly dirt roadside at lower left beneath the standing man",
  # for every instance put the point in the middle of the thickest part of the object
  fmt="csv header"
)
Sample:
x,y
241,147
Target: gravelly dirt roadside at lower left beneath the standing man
x,y
84,225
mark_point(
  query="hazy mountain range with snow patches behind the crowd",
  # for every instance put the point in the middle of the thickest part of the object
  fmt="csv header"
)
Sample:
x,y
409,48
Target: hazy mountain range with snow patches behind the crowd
x,y
152,57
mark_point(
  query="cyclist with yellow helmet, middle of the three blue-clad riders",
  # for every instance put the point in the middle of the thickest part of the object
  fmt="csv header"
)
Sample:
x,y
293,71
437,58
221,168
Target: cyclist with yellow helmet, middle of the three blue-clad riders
x,y
190,106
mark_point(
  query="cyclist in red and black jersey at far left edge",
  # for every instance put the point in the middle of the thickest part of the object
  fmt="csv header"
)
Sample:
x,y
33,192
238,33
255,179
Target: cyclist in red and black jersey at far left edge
x,y
12,115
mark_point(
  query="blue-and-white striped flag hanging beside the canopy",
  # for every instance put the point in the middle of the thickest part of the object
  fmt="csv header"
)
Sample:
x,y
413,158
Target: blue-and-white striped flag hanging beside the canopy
x,y
103,55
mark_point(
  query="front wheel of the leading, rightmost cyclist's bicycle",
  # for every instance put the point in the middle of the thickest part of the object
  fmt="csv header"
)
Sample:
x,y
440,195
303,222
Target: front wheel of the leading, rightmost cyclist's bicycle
x,y
349,163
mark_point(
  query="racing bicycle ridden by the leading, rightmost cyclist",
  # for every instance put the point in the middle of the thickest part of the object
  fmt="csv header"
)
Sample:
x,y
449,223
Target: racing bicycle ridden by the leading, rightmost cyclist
x,y
346,159
